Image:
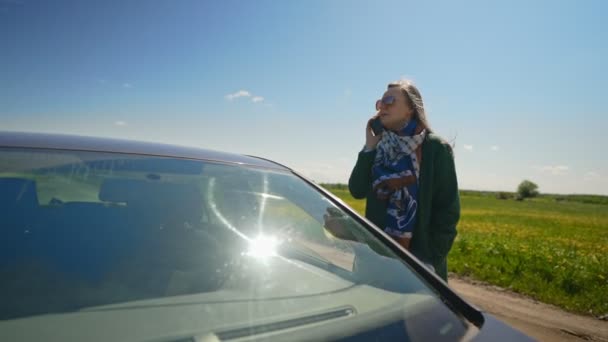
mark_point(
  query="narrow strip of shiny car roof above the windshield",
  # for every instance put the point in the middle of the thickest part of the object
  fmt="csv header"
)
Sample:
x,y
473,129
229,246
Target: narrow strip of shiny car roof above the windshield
x,y
94,144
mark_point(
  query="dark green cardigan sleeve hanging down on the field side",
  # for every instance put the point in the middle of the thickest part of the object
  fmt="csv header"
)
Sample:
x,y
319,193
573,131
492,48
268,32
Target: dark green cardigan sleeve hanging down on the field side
x,y
445,209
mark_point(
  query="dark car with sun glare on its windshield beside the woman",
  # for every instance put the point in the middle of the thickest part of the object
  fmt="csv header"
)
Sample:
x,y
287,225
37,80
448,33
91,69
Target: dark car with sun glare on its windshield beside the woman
x,y
114,240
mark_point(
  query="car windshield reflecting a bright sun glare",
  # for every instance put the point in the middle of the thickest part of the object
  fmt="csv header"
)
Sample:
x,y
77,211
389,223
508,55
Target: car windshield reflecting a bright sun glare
x,y
91,232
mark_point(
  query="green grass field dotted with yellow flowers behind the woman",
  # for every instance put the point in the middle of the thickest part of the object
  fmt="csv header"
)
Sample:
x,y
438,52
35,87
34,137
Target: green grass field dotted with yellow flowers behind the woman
x,y
552,248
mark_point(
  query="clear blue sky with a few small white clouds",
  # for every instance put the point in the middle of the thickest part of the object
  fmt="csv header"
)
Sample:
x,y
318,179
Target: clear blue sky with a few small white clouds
x,y
518,86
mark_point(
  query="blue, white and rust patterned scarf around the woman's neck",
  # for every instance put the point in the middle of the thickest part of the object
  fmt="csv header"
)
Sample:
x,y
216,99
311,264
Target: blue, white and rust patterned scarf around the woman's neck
x,y
396,160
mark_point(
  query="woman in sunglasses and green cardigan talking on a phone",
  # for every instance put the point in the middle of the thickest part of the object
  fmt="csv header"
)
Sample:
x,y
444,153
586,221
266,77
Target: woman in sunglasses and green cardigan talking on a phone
x,y
408,176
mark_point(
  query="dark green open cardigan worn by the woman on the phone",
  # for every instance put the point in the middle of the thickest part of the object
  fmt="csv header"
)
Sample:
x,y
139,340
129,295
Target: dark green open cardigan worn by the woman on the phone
x,y
438,201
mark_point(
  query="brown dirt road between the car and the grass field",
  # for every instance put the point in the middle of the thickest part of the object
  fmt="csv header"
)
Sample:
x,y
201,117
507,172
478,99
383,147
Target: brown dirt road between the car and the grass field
x,y
541,321
